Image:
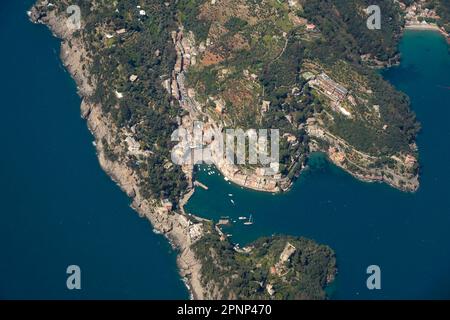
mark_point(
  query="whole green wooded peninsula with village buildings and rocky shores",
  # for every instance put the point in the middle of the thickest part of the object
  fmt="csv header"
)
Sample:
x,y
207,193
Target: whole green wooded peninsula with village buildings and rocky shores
x,y
306,67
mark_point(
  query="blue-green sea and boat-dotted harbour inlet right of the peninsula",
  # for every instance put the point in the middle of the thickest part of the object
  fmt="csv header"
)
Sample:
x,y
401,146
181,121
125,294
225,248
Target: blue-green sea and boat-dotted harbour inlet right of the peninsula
x,y
407,235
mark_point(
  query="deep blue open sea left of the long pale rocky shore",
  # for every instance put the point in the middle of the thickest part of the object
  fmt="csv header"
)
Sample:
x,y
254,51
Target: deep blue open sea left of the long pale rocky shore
x,y
58,207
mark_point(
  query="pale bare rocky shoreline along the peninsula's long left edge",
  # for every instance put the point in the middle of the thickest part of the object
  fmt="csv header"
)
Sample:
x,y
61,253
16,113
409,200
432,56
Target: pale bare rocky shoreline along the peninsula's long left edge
x,y
176,227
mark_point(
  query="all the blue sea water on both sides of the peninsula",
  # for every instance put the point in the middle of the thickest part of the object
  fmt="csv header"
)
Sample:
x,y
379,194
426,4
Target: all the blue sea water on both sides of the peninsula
x,y
58,207
